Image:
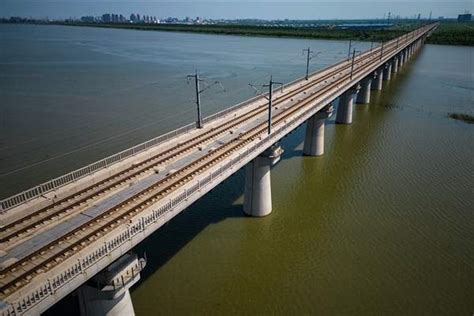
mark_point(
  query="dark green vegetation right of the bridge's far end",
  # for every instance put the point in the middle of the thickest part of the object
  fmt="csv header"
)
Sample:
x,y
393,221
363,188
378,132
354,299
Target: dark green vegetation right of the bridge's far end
x,y
453,33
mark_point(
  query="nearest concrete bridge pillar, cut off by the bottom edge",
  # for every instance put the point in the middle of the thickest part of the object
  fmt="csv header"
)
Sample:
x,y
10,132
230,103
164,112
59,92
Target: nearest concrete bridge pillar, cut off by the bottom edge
x,y
108,292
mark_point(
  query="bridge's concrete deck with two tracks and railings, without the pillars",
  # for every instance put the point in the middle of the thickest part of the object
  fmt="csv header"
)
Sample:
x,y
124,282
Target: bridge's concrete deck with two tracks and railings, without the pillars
x,y
67,235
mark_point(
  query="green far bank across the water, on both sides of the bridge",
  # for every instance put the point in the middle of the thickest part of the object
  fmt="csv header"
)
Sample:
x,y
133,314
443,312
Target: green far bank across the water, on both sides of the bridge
x,y
451,33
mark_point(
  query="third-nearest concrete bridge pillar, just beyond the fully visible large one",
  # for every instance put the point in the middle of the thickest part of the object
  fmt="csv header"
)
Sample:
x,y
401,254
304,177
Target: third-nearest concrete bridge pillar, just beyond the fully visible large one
x,y
314,139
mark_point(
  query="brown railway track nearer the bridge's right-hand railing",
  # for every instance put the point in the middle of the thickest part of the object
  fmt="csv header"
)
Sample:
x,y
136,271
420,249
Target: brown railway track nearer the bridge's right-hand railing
x,y
19,273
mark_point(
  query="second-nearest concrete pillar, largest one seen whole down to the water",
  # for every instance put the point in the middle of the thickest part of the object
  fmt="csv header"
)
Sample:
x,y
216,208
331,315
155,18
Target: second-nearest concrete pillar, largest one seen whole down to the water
x,y
258,188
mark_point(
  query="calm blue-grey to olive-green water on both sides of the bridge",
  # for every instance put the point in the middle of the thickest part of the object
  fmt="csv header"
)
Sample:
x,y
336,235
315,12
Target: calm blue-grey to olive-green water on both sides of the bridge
x,y
382,224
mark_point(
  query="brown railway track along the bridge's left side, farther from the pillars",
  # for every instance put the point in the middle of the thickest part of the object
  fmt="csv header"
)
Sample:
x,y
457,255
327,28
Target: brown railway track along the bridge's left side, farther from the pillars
x,y
39,220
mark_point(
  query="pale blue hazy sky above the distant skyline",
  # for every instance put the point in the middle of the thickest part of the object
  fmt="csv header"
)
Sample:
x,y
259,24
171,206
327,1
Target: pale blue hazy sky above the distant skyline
x,y
260,9
